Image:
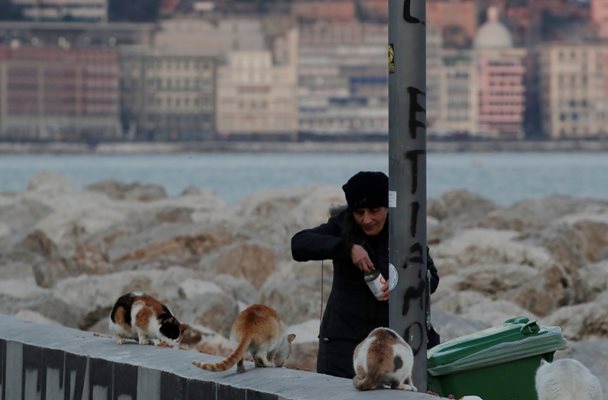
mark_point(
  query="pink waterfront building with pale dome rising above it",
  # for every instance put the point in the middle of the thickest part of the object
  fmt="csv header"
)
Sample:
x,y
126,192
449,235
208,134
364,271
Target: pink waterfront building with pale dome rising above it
x,y
500,72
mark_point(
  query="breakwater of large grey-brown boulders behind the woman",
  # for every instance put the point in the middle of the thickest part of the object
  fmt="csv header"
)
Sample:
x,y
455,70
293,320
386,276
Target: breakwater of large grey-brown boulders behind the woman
x,y
67,253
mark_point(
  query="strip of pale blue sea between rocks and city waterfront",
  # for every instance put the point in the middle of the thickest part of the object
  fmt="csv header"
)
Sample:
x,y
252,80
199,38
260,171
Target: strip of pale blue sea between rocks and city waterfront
x,y
501,177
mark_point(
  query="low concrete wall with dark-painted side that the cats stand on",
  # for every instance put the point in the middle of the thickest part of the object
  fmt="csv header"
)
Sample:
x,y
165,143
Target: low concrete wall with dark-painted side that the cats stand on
x,y
39,362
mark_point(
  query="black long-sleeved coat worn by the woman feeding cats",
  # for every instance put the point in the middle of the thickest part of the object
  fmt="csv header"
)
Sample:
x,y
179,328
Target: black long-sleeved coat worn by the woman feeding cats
x,y
352,311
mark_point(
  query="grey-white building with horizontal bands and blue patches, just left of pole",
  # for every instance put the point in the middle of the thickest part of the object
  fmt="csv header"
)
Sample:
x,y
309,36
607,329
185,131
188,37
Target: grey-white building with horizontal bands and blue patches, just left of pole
x,y
343,83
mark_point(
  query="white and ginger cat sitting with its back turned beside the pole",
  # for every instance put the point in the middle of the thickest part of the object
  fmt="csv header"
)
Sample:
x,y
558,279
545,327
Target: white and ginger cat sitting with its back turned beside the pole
x,y
383,358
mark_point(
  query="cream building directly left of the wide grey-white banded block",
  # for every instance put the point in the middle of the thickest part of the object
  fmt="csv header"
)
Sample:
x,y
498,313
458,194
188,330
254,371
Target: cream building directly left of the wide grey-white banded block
x,y
256,90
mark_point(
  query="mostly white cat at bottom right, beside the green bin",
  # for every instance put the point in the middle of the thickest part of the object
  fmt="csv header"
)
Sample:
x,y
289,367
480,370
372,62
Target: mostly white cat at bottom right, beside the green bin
x,y
566,379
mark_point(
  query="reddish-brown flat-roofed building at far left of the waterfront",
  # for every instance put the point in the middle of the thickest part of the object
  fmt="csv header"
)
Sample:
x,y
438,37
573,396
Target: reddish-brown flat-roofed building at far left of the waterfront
x,y
59,93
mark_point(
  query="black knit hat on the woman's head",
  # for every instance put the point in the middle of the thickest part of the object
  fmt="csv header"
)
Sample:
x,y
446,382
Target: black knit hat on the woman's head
x,y
366,189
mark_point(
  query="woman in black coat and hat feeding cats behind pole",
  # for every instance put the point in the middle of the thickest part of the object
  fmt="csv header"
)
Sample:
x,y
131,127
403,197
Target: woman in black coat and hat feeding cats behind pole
x,y
356,238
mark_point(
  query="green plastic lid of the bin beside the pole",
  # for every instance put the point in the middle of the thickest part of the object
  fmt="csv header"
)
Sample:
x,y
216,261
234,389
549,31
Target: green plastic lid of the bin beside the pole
x,y
517,338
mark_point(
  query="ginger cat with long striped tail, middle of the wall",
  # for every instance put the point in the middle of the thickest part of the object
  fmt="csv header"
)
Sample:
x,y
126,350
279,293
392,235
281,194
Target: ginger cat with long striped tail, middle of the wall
x,y
260,330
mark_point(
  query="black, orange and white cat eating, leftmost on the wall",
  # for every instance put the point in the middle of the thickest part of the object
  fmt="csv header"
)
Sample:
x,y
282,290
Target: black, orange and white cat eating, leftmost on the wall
x,y
136,315
